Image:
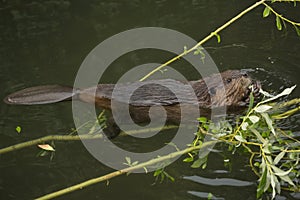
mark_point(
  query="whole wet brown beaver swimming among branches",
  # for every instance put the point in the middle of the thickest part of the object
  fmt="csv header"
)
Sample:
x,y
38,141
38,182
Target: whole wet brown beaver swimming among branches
x,y
232,91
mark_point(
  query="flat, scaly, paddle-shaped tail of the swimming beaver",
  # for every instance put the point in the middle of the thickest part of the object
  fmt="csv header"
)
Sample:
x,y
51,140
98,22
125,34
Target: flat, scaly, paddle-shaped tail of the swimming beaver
x,y
41,95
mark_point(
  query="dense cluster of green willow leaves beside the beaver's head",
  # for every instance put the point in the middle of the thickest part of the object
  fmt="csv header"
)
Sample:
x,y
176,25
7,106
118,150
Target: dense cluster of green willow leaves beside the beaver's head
x,y
274,153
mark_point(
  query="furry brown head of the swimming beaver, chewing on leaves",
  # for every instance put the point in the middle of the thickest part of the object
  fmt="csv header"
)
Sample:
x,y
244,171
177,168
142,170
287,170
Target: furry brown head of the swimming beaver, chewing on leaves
x,y
230,88
